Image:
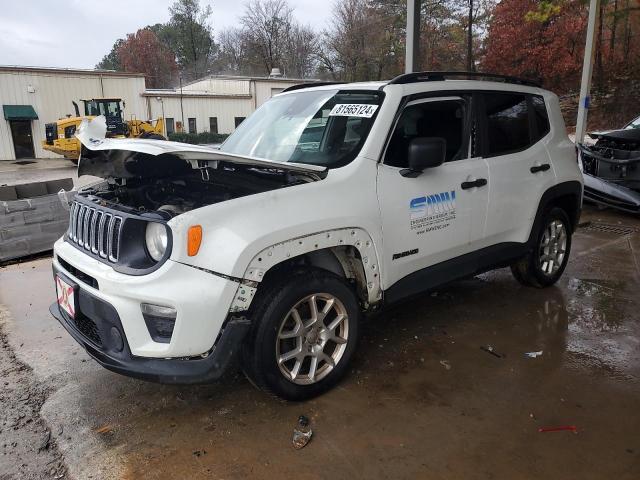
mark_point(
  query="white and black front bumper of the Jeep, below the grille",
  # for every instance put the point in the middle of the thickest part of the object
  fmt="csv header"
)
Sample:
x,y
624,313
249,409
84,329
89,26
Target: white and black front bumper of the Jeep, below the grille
x,y
205,340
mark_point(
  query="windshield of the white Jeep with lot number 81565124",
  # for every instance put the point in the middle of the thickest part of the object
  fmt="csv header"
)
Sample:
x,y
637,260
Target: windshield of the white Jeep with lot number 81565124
x,y
325,128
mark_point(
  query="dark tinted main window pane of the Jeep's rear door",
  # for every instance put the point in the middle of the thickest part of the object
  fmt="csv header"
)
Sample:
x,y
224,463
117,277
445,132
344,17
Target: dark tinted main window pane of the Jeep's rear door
x,y
507,123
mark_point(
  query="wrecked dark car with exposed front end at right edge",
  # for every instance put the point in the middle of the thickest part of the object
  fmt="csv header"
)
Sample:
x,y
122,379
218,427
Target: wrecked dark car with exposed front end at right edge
x,y
611,169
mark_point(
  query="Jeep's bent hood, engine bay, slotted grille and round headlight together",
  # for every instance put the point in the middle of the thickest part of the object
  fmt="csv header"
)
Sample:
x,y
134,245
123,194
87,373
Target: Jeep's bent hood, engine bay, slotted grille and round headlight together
x,y
124,220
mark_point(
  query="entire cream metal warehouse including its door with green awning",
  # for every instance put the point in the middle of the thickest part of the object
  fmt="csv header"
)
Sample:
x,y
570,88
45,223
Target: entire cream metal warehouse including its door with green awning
x,y
32,96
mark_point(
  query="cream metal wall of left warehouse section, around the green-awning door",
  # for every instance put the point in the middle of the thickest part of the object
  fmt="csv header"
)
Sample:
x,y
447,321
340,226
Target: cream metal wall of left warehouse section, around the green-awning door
x,y
52,96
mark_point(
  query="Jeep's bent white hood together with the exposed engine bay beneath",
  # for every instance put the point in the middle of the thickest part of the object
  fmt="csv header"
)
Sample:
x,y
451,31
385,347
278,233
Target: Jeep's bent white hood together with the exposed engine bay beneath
x,y
173,178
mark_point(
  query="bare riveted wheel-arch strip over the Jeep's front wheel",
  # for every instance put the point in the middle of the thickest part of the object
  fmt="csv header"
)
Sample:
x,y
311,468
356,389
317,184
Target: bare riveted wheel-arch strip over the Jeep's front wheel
x,y
275,254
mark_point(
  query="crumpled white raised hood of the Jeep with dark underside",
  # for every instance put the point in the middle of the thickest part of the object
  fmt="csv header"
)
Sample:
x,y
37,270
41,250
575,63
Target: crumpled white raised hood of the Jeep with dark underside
x,y
128,157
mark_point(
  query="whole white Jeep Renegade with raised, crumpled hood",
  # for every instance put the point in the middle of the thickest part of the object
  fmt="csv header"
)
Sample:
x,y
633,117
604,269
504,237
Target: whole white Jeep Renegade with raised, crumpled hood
x,y
329,201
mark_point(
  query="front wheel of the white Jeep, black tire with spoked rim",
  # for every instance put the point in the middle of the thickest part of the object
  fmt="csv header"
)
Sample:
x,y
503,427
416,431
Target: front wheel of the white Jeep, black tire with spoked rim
x,y
273,318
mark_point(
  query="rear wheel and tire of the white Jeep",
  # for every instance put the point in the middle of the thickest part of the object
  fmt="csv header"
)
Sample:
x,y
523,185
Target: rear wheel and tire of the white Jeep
x,y
544,265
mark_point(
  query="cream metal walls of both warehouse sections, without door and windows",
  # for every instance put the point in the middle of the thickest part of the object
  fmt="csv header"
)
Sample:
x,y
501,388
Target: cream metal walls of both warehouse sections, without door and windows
x,y
53,92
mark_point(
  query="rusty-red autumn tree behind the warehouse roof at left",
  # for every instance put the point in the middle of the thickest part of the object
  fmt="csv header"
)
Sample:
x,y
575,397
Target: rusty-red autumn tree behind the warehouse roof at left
x,y
143,52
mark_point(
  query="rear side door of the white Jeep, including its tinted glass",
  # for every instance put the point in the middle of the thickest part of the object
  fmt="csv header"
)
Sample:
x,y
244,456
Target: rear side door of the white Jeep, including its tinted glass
x,y
513,131
